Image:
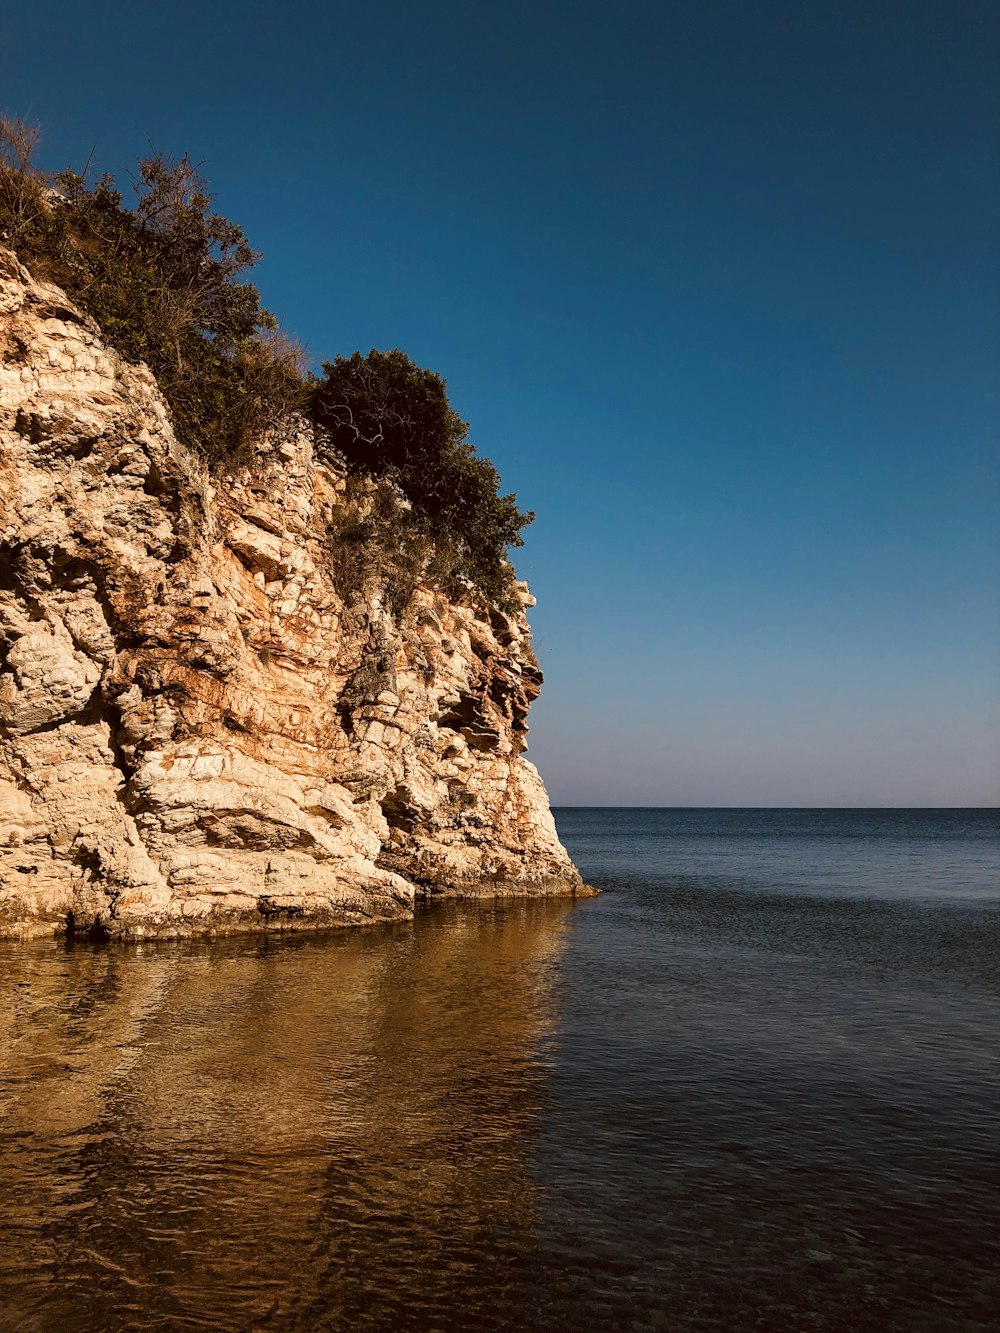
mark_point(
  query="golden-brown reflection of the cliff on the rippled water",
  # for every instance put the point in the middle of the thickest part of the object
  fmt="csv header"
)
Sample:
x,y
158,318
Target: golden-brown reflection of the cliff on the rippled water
x,y
303,1134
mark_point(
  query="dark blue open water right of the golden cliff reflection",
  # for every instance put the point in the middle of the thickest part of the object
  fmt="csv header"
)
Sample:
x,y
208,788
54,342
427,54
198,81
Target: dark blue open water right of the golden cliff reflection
x,y
781,1036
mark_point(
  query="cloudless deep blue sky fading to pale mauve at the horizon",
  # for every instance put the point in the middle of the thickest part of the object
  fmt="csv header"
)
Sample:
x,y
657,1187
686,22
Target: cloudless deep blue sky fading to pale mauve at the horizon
x,y
715,285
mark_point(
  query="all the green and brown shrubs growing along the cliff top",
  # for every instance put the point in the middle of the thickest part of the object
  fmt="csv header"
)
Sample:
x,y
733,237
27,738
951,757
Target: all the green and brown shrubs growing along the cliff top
x,y
165,277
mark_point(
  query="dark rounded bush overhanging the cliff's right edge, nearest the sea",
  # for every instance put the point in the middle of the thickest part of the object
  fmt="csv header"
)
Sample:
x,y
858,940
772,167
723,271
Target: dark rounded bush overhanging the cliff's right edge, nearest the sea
x,y
389,419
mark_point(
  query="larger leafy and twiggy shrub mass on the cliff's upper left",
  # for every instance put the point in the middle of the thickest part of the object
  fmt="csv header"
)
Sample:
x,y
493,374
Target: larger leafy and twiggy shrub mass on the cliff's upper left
x,y
162,278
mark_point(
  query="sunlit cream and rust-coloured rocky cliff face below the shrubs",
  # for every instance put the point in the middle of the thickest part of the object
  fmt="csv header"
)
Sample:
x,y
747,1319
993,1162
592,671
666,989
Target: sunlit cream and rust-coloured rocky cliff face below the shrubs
x,y
197,731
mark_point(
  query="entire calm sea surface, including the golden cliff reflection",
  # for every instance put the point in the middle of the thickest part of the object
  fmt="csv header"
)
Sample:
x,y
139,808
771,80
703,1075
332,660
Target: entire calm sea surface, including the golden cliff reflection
x,y
754,1086
